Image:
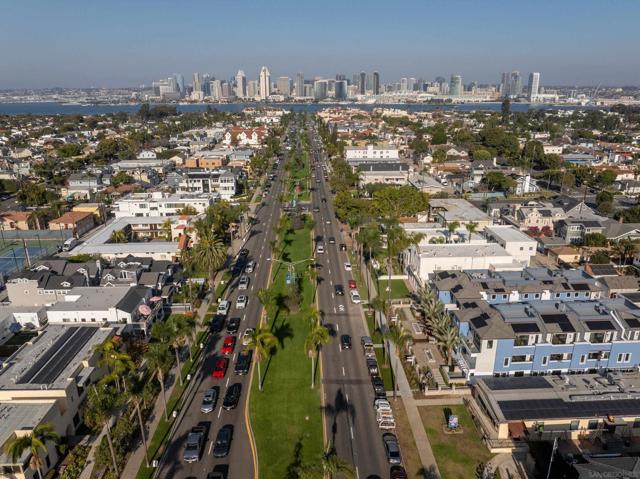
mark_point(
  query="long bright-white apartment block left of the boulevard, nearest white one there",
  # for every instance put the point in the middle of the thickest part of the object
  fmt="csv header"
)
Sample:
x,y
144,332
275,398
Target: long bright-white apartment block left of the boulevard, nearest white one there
x,y
161,204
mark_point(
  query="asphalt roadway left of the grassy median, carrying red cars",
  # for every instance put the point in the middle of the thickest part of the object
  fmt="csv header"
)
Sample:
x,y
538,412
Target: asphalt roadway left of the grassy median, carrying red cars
x,y
240,462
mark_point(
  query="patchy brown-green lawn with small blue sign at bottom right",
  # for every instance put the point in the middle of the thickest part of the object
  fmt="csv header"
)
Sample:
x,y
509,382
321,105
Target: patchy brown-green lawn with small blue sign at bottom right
x,y
457,454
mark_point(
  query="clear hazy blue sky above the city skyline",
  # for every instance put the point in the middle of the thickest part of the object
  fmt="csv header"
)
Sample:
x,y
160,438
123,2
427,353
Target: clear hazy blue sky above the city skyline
x,y
74,43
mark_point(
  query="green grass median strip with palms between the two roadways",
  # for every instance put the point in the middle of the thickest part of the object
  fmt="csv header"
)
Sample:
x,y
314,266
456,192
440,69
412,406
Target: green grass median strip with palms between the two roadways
x,y
288,411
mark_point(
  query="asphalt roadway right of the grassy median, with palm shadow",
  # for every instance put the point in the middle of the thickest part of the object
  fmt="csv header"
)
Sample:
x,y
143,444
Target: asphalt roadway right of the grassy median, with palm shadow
x,y
351,423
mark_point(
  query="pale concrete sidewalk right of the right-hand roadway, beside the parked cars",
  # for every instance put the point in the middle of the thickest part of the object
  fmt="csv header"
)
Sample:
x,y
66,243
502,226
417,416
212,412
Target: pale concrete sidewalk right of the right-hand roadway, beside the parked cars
x,y
427,458
